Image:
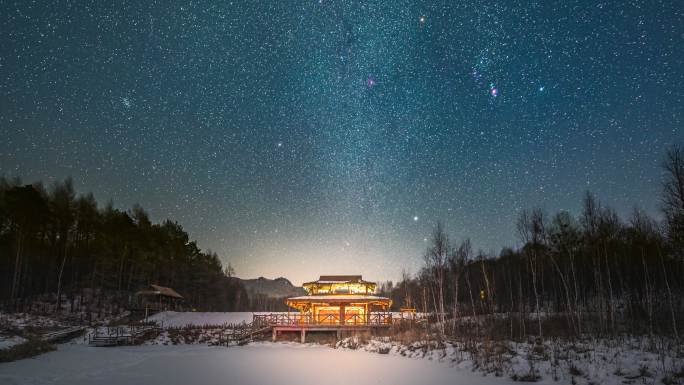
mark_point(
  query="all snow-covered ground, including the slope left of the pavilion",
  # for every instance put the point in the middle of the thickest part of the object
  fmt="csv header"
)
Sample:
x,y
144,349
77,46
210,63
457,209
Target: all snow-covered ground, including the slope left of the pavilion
x,y
178,350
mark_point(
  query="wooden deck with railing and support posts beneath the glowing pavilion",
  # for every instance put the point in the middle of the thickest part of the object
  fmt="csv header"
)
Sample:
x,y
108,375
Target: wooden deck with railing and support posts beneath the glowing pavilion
x,y
302,323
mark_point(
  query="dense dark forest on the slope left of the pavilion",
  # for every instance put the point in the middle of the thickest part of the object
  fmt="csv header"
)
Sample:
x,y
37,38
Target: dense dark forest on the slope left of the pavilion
x,y
55,243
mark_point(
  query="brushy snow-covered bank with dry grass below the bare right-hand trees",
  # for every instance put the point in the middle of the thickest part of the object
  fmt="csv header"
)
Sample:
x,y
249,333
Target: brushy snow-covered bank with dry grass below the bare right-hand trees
x,y
590,362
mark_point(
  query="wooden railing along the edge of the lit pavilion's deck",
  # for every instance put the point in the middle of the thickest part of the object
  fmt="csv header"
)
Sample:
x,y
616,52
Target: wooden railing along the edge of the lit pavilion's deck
x,y
296,319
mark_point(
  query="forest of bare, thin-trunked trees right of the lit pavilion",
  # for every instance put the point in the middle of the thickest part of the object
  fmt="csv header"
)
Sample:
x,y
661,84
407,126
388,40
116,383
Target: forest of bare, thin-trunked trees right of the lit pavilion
x,y
594,273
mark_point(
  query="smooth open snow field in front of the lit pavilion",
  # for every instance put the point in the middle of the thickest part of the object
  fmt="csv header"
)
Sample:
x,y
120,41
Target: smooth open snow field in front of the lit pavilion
x,y
257,364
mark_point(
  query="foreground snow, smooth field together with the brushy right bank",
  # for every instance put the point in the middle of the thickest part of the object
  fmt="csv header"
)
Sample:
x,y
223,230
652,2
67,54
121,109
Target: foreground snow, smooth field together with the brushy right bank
x,y
375,362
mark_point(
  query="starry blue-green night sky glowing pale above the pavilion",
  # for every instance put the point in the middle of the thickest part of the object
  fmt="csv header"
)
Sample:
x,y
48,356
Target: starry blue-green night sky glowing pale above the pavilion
x,y
298,138
